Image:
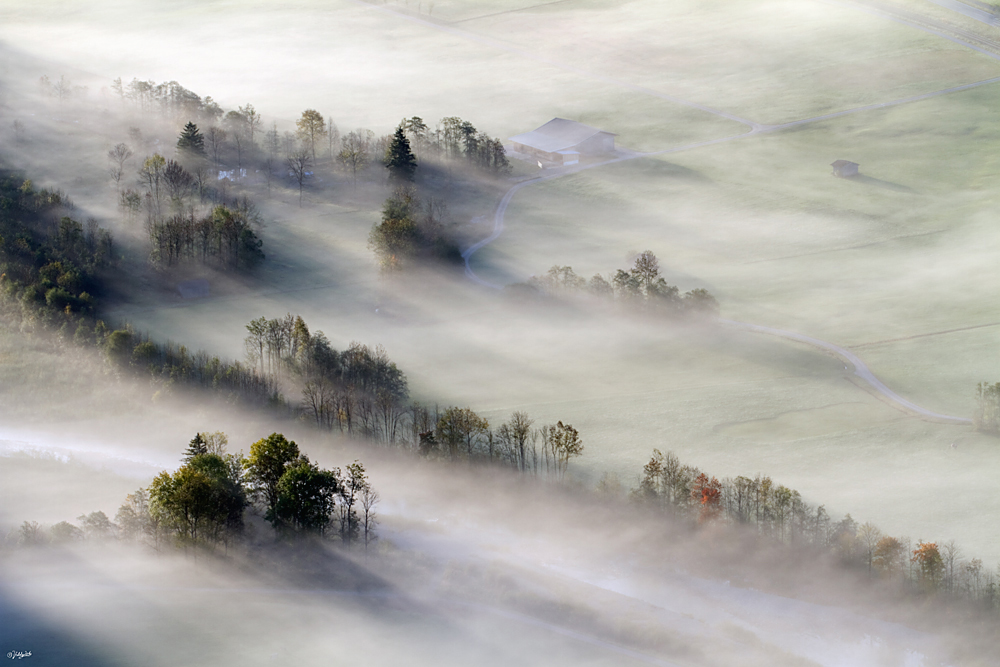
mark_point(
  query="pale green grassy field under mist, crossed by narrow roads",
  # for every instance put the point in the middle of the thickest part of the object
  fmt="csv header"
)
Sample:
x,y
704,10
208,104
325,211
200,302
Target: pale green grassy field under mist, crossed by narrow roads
x,y
904,250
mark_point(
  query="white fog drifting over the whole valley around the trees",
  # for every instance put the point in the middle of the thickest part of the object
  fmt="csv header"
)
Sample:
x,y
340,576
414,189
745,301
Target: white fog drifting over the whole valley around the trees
x,y
727,116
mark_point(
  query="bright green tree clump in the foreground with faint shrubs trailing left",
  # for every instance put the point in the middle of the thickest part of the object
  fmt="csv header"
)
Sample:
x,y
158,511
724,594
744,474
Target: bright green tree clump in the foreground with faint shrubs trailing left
x,y
206,501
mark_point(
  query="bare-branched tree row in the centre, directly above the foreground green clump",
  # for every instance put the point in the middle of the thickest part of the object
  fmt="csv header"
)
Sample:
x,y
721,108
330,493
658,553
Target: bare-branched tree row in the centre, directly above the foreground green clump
x,y
361,393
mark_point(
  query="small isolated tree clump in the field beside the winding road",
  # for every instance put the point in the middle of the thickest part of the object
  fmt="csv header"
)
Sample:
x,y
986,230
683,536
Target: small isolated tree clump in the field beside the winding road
x,y
642,285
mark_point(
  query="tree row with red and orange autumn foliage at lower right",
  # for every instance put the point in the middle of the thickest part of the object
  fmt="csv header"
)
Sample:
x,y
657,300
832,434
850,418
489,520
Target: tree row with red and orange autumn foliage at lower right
x,y
780,513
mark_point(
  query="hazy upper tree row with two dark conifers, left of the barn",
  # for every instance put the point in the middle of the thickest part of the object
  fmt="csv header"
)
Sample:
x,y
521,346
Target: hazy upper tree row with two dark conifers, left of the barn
x,y
239,138
